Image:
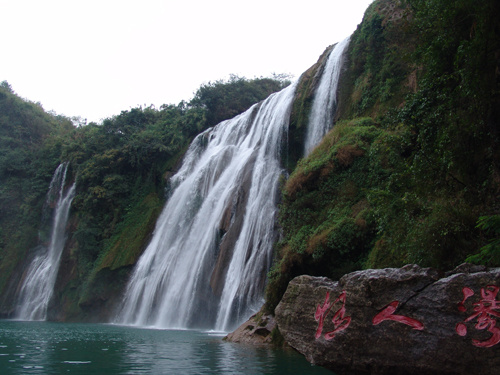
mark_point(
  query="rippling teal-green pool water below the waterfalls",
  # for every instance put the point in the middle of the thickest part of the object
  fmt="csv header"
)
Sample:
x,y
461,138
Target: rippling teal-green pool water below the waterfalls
x,y
56,348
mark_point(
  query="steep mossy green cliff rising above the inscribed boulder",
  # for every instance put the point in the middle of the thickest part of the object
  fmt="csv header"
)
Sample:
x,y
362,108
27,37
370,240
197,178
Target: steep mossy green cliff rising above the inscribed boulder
x,y
416,178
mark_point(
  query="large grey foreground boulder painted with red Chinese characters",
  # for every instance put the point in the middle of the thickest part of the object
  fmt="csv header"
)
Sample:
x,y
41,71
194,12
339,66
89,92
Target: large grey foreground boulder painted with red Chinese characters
x,y
396,321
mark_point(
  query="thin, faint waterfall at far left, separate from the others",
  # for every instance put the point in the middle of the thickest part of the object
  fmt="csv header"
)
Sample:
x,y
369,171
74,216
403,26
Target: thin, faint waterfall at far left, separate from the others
x,y
38,286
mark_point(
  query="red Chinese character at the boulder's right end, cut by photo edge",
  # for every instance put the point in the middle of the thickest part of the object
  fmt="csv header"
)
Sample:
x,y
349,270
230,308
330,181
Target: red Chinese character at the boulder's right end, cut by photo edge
x,y
486,311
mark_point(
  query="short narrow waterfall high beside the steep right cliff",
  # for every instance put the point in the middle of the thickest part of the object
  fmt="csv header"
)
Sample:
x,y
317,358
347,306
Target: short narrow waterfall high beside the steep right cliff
x,y
325,98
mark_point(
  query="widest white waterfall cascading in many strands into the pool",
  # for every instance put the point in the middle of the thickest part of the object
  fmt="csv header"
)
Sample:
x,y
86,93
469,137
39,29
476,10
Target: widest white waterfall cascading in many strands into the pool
x,y
211,249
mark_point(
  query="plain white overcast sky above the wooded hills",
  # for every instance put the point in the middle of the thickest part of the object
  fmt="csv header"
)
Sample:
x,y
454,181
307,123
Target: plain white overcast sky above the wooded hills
x,y
96,58
